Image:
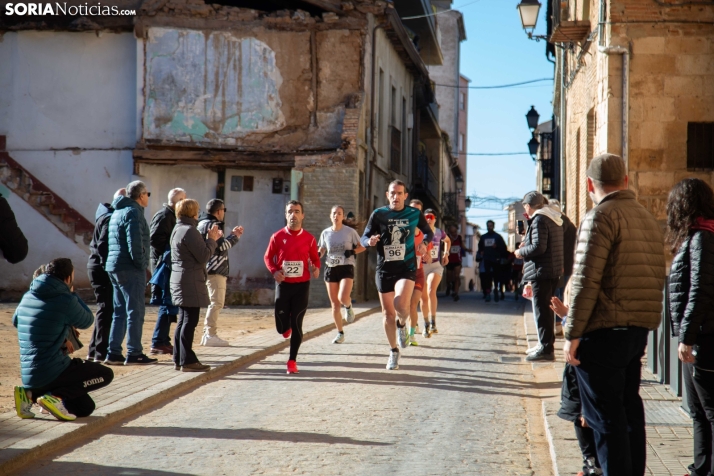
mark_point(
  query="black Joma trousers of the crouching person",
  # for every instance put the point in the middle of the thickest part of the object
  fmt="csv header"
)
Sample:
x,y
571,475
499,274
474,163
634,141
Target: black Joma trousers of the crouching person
x,y
73,385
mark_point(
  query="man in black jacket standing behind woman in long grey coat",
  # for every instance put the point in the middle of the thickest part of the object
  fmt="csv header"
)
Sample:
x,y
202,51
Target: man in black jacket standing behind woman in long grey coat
x,y
162,225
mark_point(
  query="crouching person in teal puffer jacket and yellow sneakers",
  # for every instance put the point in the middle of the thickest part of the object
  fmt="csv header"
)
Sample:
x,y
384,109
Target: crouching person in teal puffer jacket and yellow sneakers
x,y
46,314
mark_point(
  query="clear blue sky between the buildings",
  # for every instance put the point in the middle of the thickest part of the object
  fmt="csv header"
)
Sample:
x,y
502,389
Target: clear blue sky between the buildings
x,y
497,51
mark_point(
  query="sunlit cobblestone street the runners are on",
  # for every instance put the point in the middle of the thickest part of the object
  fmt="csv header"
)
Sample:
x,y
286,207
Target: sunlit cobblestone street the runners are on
x,y
457,405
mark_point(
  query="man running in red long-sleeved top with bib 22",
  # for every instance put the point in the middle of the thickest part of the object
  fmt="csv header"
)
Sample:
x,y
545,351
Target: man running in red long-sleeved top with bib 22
x,y
292,259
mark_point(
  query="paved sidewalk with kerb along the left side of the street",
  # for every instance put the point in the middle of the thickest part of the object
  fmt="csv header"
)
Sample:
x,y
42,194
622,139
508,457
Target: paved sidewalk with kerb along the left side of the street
x,y
23,441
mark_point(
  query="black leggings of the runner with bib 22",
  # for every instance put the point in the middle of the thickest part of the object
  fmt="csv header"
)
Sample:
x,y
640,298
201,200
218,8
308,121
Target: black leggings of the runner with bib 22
x,y
290,307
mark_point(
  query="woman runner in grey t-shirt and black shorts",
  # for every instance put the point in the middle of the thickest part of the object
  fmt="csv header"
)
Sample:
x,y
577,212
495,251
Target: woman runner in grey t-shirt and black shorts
x,y
341,244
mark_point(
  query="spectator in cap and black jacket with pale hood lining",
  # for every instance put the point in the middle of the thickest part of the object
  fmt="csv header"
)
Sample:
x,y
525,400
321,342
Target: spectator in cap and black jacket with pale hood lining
x,y
542,250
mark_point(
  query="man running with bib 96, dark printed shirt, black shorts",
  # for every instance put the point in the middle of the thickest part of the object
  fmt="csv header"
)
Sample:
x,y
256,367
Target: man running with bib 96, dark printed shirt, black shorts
x,y
391,230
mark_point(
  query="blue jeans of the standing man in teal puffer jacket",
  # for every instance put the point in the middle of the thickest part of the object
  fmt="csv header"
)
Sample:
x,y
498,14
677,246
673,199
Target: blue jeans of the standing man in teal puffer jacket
x,y
129,309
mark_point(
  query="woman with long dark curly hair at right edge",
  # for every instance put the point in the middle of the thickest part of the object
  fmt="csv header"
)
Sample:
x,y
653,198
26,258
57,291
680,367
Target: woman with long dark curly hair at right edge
x,y
690,234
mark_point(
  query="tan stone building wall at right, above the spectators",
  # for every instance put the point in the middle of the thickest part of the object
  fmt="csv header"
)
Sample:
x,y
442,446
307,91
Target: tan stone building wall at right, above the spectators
x,y
671,84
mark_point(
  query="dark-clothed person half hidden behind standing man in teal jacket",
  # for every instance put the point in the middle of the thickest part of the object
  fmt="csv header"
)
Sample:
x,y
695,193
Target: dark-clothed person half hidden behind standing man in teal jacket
x,y
101,284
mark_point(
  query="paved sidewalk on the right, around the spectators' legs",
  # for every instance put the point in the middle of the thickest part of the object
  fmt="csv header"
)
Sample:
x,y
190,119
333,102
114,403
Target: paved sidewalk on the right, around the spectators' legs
x,y
669,428
